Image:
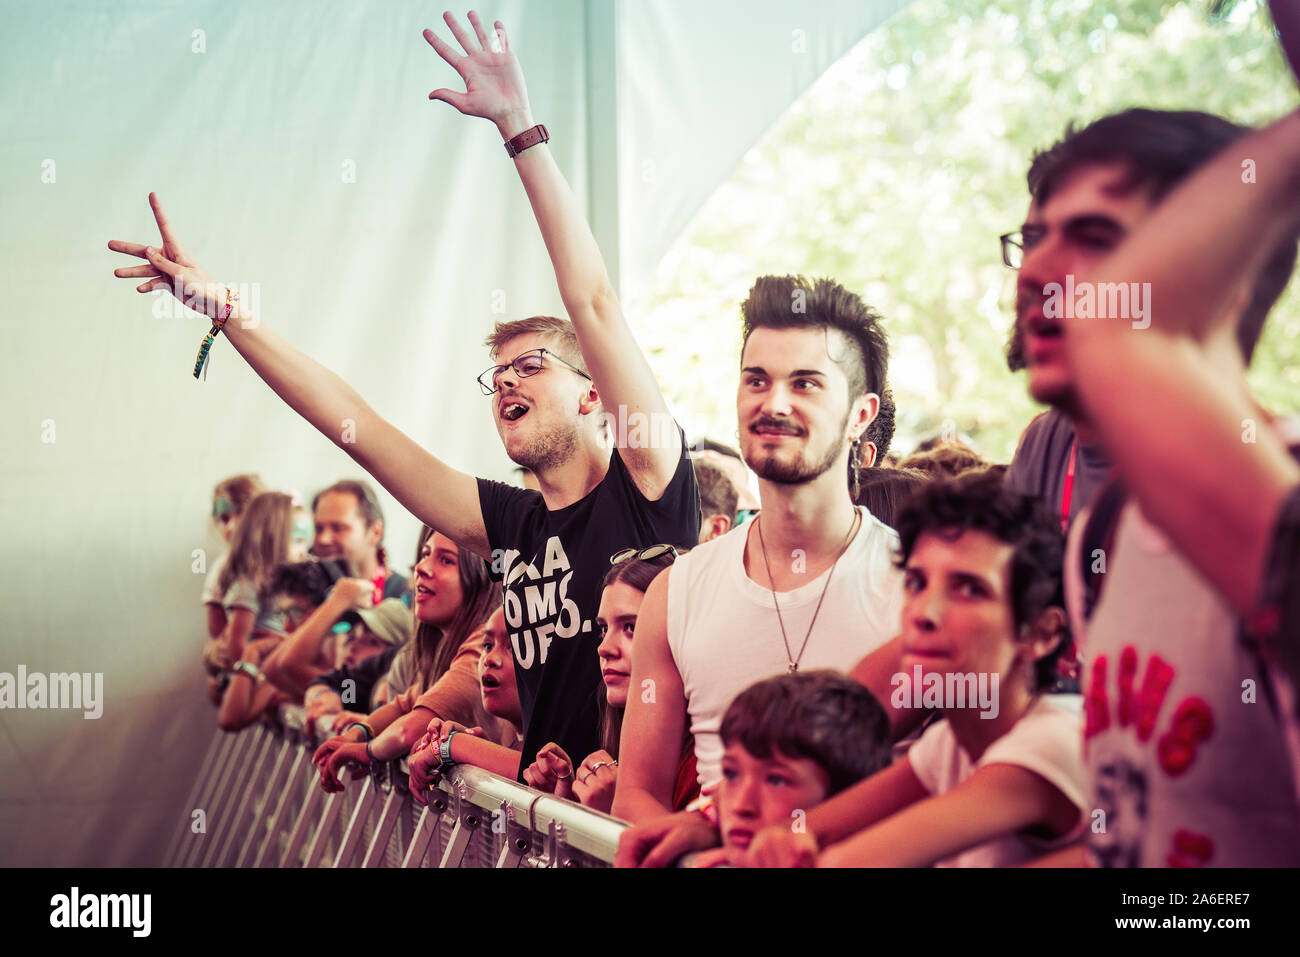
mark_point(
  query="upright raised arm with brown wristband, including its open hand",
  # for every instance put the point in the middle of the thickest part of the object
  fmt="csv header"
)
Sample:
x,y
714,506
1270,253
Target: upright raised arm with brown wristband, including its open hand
x,y
495,90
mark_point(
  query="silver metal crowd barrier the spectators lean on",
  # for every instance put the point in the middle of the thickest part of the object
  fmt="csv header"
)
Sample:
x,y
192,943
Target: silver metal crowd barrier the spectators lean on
x,y
258,803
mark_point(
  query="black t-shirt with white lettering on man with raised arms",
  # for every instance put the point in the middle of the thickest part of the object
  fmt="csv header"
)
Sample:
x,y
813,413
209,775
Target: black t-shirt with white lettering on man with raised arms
x,y
552,565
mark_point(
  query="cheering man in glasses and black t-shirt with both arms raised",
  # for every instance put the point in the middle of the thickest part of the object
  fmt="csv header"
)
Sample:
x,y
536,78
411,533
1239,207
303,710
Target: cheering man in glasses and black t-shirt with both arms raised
x,y
553,388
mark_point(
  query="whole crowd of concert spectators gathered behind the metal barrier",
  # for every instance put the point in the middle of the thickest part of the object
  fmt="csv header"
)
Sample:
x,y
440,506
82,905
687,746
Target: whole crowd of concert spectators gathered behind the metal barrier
x,y
807,651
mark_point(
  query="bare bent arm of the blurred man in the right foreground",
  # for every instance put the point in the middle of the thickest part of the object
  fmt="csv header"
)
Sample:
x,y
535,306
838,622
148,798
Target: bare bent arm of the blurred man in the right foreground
x,y
1189,443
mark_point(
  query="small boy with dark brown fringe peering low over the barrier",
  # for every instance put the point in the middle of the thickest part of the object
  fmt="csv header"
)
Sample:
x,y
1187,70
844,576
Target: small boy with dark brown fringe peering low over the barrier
x,y
791,743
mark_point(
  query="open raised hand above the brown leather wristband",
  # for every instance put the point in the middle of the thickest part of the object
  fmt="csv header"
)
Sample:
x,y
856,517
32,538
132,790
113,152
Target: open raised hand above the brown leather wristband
x,y
495,84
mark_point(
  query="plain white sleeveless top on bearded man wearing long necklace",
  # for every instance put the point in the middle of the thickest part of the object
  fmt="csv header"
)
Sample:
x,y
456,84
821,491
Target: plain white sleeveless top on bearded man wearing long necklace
x,y
725,635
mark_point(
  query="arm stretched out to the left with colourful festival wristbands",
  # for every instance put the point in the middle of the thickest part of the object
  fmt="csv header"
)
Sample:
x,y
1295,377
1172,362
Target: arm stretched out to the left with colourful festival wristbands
x,y
440,496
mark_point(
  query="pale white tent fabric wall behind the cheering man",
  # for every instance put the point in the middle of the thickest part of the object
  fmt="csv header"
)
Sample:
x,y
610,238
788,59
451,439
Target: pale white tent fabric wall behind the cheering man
x,y
296,150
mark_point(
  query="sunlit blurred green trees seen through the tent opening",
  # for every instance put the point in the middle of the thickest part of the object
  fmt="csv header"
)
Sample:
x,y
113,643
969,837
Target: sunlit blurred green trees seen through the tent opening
x,y
903,164
